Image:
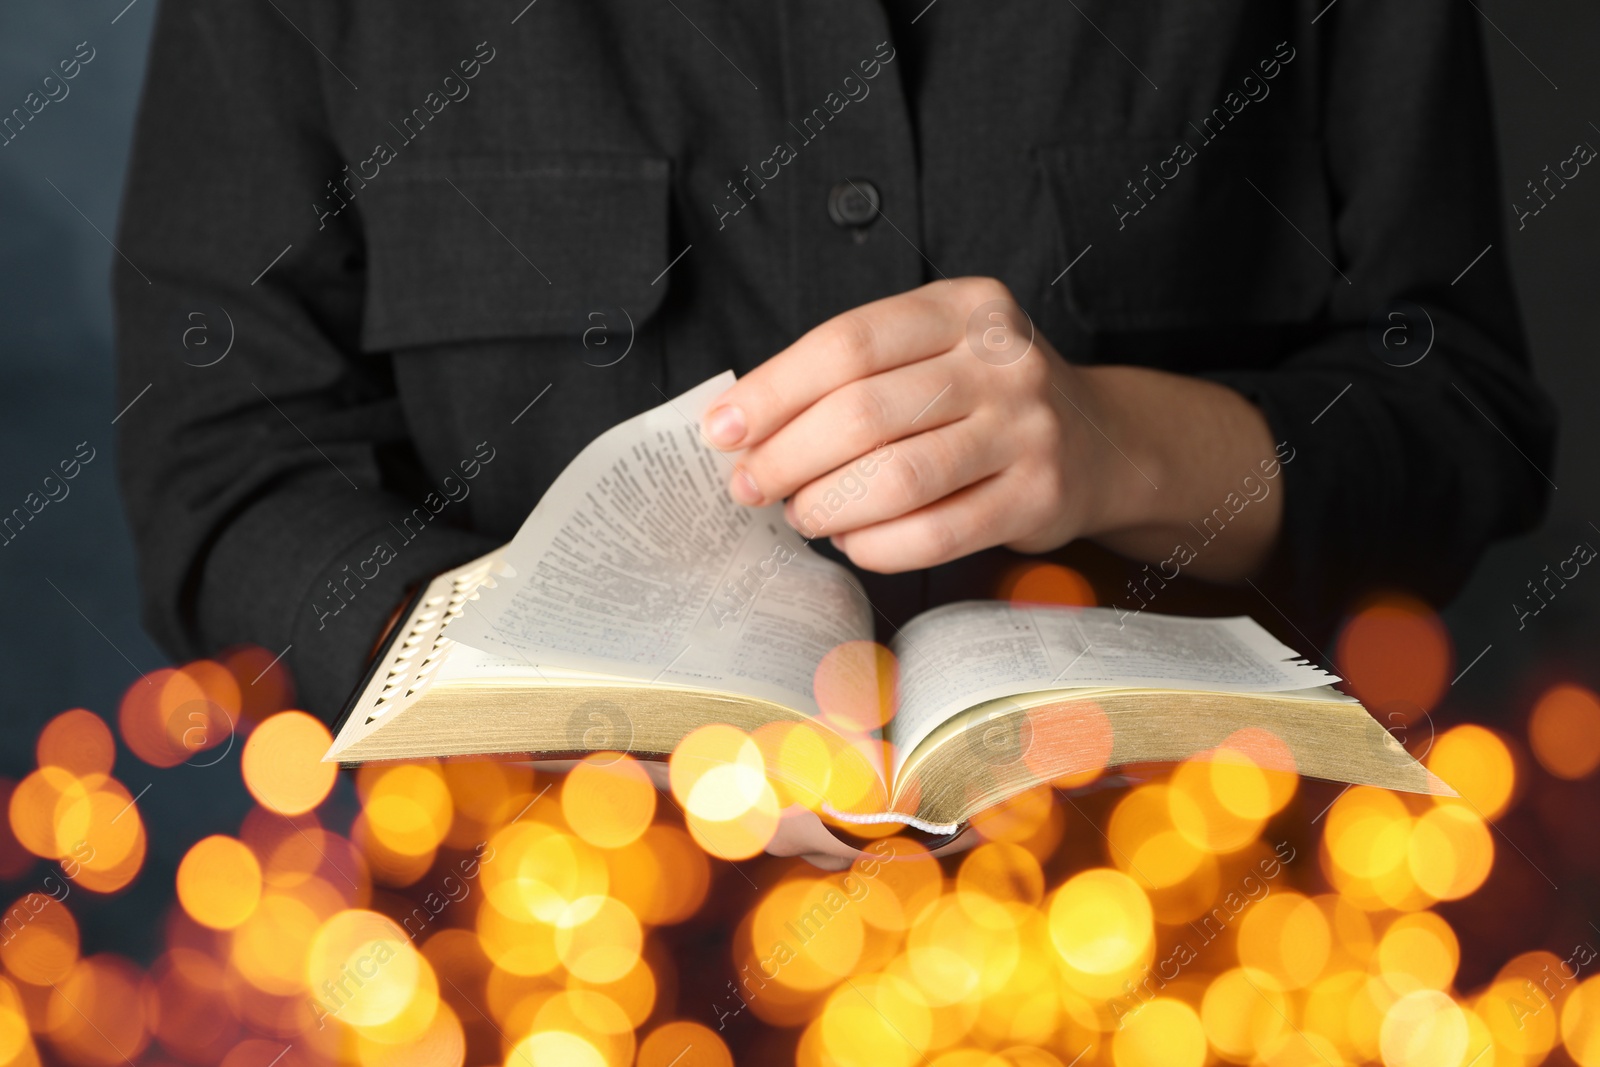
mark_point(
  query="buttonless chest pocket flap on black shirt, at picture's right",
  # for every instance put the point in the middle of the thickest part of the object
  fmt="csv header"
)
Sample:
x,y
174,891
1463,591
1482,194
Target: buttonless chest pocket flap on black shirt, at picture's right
x,y
1238,236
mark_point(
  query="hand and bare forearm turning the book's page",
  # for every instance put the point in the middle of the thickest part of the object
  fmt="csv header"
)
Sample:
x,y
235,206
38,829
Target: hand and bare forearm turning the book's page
x,y
932,425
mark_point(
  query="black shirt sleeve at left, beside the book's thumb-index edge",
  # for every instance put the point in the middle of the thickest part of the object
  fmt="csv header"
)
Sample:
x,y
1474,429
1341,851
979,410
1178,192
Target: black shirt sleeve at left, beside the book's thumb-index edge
x,y
257,482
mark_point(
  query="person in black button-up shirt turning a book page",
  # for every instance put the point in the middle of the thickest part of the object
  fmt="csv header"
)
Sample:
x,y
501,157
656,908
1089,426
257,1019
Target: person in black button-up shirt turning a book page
x,y
1209,303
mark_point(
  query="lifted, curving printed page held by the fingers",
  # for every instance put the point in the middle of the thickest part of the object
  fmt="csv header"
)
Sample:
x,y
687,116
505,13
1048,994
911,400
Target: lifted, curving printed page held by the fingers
x,y
638,564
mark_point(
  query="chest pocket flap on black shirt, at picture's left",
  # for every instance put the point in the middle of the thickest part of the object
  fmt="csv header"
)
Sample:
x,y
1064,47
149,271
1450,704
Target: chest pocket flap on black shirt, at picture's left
x,y
481,249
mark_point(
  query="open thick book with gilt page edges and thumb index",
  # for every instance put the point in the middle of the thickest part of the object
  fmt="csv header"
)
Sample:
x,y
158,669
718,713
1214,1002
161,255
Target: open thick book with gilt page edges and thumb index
x,y
641,602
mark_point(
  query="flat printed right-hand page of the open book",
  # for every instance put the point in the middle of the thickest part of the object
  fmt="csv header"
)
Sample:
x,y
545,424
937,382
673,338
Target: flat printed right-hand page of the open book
x,y
967,653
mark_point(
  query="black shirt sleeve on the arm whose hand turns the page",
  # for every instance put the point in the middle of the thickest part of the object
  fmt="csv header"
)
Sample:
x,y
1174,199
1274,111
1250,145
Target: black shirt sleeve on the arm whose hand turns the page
x,y
1406,466
